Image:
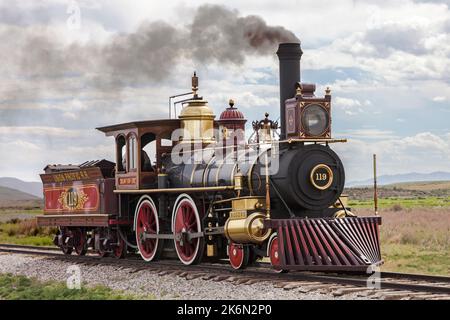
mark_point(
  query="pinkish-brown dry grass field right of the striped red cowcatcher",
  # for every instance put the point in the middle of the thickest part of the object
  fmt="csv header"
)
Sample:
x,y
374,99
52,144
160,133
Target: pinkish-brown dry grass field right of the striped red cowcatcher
x,y
415,240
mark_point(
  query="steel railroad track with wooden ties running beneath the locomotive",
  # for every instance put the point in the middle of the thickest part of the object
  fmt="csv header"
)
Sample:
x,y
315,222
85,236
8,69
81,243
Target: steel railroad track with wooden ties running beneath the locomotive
x,y
386,285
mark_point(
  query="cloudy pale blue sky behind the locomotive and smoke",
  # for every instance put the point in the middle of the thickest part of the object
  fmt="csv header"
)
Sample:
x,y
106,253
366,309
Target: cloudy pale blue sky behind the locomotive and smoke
x,y
67,67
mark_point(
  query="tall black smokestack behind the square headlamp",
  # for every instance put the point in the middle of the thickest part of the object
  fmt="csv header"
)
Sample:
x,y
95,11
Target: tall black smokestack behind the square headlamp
x,y
289,55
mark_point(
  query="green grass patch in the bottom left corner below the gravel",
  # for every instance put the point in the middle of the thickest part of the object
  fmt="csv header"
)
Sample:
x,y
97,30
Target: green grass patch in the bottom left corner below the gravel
x,y
23,288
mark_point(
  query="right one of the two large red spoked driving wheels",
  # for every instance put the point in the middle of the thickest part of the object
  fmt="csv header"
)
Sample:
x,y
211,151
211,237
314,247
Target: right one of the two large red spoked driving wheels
x,y
185,221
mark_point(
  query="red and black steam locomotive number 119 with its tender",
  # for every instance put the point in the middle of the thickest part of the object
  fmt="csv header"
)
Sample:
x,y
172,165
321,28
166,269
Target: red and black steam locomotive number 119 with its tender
x,y
193,188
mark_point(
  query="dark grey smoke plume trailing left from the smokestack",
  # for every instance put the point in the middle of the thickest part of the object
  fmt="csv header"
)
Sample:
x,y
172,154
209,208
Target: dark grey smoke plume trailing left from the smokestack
x,y
149,54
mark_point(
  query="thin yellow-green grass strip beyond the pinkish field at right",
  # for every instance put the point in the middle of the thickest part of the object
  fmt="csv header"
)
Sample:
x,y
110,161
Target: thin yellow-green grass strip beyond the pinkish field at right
x,y
384,203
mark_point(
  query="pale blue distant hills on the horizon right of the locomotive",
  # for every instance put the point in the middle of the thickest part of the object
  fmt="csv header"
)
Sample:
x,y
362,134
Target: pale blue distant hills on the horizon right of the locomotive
x,y
402,178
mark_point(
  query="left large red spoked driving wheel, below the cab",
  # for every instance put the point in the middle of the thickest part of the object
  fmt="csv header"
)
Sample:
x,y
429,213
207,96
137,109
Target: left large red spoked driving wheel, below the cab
x,y
146,222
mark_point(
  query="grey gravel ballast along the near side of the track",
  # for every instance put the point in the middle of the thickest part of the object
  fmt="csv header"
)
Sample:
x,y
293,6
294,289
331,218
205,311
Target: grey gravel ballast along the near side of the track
x,y
149,283
